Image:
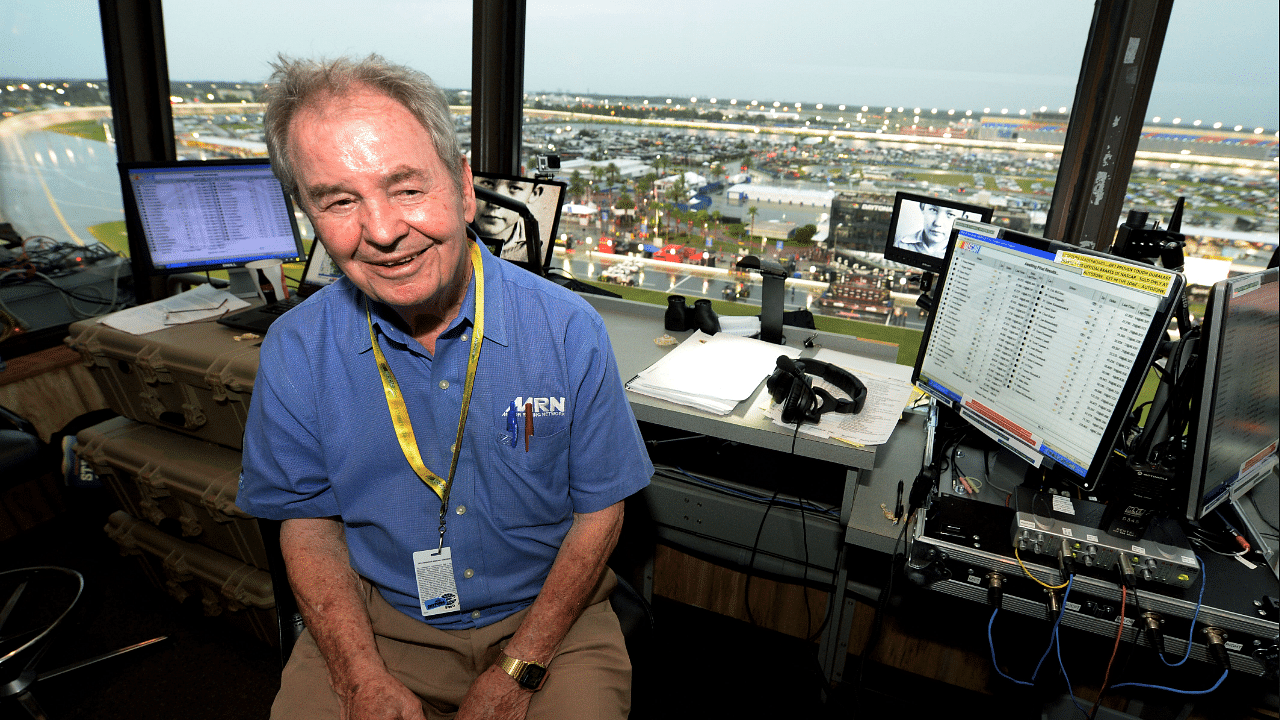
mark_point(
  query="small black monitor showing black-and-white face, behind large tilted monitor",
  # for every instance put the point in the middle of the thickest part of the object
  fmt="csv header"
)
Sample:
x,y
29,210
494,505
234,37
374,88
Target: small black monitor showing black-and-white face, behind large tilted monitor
x,y
921,229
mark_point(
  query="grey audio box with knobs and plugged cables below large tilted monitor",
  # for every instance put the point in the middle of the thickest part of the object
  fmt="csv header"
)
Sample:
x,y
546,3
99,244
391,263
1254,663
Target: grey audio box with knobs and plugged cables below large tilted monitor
x,y
1091,548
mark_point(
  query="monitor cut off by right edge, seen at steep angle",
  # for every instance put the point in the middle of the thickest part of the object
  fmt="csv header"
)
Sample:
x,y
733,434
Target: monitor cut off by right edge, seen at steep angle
x,y
1237,413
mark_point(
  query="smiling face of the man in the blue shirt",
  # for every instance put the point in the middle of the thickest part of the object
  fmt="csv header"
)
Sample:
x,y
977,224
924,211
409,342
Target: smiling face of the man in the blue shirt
x,y
382,202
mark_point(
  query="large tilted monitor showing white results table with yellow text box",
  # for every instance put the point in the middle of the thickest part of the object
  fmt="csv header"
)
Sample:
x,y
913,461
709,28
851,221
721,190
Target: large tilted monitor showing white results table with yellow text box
x,y
1043,345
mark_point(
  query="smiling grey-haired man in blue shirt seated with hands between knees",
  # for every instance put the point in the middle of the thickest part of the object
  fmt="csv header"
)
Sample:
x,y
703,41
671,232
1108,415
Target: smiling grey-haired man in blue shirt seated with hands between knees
x,y
444,435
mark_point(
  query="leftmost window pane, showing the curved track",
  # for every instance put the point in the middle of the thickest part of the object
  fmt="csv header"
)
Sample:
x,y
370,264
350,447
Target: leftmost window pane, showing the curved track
x,y
57,160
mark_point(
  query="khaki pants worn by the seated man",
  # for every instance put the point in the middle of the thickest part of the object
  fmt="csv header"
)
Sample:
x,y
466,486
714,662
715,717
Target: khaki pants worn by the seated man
x,y
589,678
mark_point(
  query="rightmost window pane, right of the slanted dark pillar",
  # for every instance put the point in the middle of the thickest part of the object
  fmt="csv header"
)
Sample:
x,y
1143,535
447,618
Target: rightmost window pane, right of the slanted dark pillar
x,y
1212,138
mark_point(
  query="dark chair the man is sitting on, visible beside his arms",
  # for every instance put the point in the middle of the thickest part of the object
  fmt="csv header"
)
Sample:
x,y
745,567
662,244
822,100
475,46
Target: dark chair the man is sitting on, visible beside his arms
x,y
634,613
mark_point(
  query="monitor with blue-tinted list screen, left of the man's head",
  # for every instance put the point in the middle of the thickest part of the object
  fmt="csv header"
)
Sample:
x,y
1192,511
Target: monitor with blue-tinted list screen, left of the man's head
x,y
209,215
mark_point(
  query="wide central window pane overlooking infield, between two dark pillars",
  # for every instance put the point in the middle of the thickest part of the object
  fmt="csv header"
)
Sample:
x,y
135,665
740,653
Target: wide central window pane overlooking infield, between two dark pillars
x,y
828,108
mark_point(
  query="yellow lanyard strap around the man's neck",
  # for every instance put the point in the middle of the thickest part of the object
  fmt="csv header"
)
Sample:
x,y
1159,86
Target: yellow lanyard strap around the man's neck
x,y
400,413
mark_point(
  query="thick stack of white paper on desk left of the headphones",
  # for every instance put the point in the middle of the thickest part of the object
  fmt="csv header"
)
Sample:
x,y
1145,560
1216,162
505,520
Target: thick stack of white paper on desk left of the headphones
x,y
712,373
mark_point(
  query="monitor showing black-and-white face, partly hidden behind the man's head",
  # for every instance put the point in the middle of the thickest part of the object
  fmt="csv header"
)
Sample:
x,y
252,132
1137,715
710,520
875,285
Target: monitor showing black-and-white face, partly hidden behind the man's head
x,y
505,229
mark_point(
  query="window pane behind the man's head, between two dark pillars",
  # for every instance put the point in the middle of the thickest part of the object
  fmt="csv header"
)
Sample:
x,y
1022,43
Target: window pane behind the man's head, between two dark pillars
x,y
217,70
